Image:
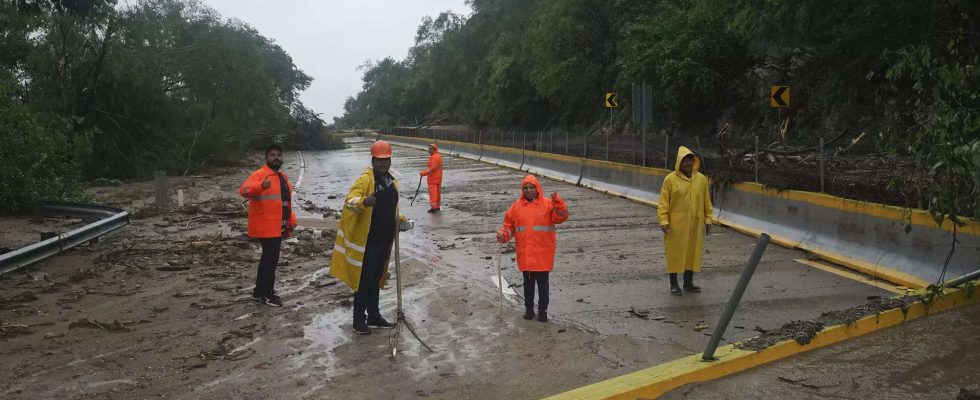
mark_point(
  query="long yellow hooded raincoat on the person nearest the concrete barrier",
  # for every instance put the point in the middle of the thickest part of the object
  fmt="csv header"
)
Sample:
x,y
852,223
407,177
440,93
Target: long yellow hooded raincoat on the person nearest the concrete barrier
x,y
685,206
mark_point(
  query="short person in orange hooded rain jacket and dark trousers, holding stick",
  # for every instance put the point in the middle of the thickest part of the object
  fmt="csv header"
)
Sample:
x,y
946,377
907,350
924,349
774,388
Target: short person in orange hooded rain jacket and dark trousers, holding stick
x,y
531,222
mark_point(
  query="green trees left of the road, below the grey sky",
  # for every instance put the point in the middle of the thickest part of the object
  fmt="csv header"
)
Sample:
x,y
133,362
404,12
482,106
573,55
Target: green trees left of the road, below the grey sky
x,y
154,84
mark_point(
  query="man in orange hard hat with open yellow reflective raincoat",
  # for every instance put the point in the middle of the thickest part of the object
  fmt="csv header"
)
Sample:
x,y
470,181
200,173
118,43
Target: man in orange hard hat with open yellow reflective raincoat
x,y
368,225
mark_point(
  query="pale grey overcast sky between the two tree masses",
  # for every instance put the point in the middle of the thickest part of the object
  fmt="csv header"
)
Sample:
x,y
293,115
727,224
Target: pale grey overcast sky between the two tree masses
x,y
329,39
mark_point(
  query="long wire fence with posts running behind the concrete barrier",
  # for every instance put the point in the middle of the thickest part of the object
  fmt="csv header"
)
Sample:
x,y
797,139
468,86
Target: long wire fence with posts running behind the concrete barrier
x,y
839,164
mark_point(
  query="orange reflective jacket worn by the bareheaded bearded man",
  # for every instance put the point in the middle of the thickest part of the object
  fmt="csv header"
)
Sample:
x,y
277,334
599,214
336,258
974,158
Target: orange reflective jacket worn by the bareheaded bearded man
x,y
265,205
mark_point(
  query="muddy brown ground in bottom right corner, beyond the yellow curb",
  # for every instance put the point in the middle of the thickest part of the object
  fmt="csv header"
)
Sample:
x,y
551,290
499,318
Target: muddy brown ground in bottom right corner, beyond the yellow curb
x,y
929,358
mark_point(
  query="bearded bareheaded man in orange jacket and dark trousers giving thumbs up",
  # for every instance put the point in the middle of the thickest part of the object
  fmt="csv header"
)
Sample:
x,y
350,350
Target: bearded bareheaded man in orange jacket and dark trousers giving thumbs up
x,y
270,219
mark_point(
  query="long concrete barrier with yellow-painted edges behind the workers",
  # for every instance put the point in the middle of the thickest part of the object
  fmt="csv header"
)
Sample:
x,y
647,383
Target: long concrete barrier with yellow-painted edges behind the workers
x,y
866,237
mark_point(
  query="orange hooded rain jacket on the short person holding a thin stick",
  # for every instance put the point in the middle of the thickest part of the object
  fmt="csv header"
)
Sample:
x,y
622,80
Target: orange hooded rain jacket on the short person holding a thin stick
x,y
532,225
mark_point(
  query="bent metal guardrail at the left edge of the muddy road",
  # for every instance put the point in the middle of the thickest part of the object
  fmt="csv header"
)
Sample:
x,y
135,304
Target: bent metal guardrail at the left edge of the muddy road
x,y
110,219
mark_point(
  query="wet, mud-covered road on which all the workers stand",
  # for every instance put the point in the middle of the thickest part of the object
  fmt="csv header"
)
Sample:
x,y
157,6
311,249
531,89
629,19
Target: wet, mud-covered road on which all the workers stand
x,y
161,308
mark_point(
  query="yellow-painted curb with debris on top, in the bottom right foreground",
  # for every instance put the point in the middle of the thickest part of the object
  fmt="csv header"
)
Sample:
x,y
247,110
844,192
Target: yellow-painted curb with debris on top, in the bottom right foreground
x,y
658,380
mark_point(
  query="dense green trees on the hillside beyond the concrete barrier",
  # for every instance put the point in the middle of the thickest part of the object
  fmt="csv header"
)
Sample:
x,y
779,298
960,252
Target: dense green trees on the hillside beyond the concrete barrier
x,y
905,68
